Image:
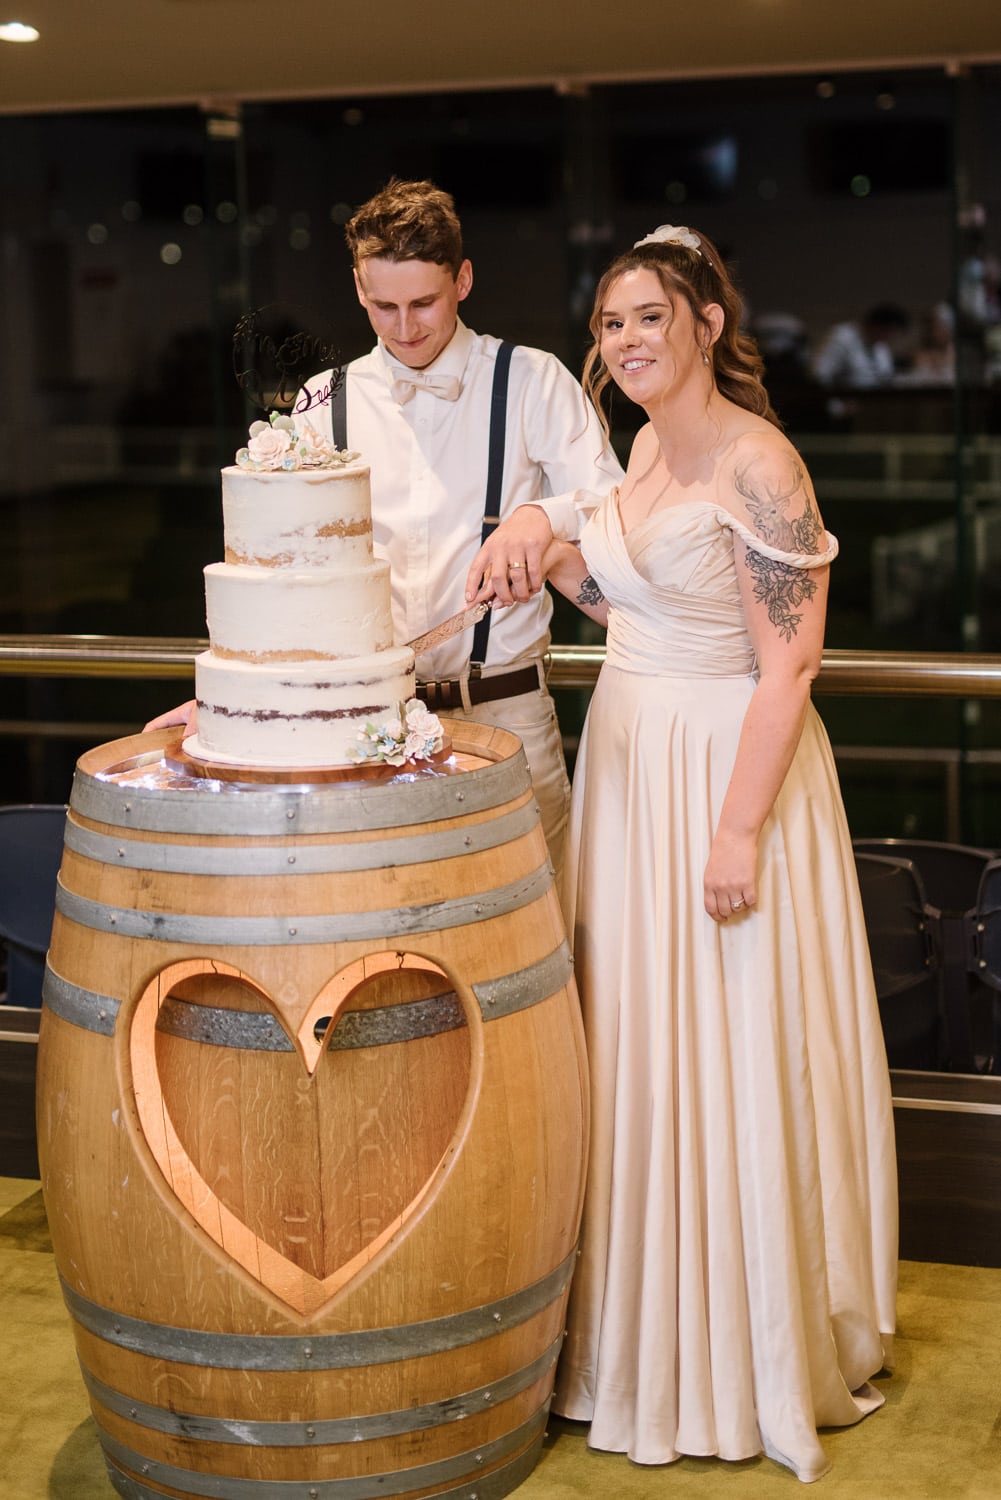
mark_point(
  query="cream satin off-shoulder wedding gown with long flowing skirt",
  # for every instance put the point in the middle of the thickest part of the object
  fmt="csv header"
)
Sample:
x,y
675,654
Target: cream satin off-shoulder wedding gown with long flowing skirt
x,y
738,1280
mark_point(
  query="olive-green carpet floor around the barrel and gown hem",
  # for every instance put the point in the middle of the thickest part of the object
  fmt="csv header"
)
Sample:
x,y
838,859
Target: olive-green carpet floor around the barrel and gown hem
x,y
937,1438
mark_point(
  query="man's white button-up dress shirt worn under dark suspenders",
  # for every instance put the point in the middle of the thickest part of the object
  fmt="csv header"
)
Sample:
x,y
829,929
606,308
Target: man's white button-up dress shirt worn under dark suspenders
x,y
428,461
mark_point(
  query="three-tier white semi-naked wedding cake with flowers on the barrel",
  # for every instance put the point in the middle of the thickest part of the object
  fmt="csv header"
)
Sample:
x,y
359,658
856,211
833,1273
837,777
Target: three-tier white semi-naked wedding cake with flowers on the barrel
x,y
302,670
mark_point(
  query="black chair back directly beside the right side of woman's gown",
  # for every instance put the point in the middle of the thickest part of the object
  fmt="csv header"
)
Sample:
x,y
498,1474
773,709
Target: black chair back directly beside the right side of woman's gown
x,y
906,961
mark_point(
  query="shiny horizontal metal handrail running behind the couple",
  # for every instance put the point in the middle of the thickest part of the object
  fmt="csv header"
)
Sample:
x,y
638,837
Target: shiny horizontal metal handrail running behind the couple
x,y
907,674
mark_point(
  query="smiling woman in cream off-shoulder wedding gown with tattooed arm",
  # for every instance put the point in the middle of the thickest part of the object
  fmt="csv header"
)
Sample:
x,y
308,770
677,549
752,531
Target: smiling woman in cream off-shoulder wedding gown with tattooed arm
x,y
738,1280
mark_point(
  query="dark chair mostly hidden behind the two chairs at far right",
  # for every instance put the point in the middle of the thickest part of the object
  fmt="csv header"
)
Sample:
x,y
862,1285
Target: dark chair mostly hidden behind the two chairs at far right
x,y
951,875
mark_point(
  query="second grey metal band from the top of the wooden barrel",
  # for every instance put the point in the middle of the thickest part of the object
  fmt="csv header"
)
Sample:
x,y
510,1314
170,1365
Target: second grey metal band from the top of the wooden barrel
x,y
268,860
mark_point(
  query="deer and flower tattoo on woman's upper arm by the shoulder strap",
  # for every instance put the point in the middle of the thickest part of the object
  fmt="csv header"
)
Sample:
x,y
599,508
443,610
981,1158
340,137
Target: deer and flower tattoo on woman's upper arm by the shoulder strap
x,y
780,586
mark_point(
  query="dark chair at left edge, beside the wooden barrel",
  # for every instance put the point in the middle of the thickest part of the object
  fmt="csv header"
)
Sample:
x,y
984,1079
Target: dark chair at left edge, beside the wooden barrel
x,y
31,853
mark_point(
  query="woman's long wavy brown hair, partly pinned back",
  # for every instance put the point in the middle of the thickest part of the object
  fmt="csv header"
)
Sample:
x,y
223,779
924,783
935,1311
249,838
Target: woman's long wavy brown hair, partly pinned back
x,y
700,278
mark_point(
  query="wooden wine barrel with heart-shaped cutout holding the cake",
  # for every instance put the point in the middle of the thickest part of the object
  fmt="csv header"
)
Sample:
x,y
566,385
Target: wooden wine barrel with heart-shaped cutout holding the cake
x,y
311,1124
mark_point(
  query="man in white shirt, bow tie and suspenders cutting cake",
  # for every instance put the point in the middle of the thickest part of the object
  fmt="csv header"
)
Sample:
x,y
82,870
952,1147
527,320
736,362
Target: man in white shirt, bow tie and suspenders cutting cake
x,y
419,410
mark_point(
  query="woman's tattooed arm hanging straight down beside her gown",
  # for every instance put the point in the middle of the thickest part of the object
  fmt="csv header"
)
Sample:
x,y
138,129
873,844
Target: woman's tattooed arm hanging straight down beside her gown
x,y
786,611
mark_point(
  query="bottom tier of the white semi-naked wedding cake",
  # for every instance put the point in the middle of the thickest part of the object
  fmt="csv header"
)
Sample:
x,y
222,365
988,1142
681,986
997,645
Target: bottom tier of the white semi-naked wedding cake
x,y
296,713
